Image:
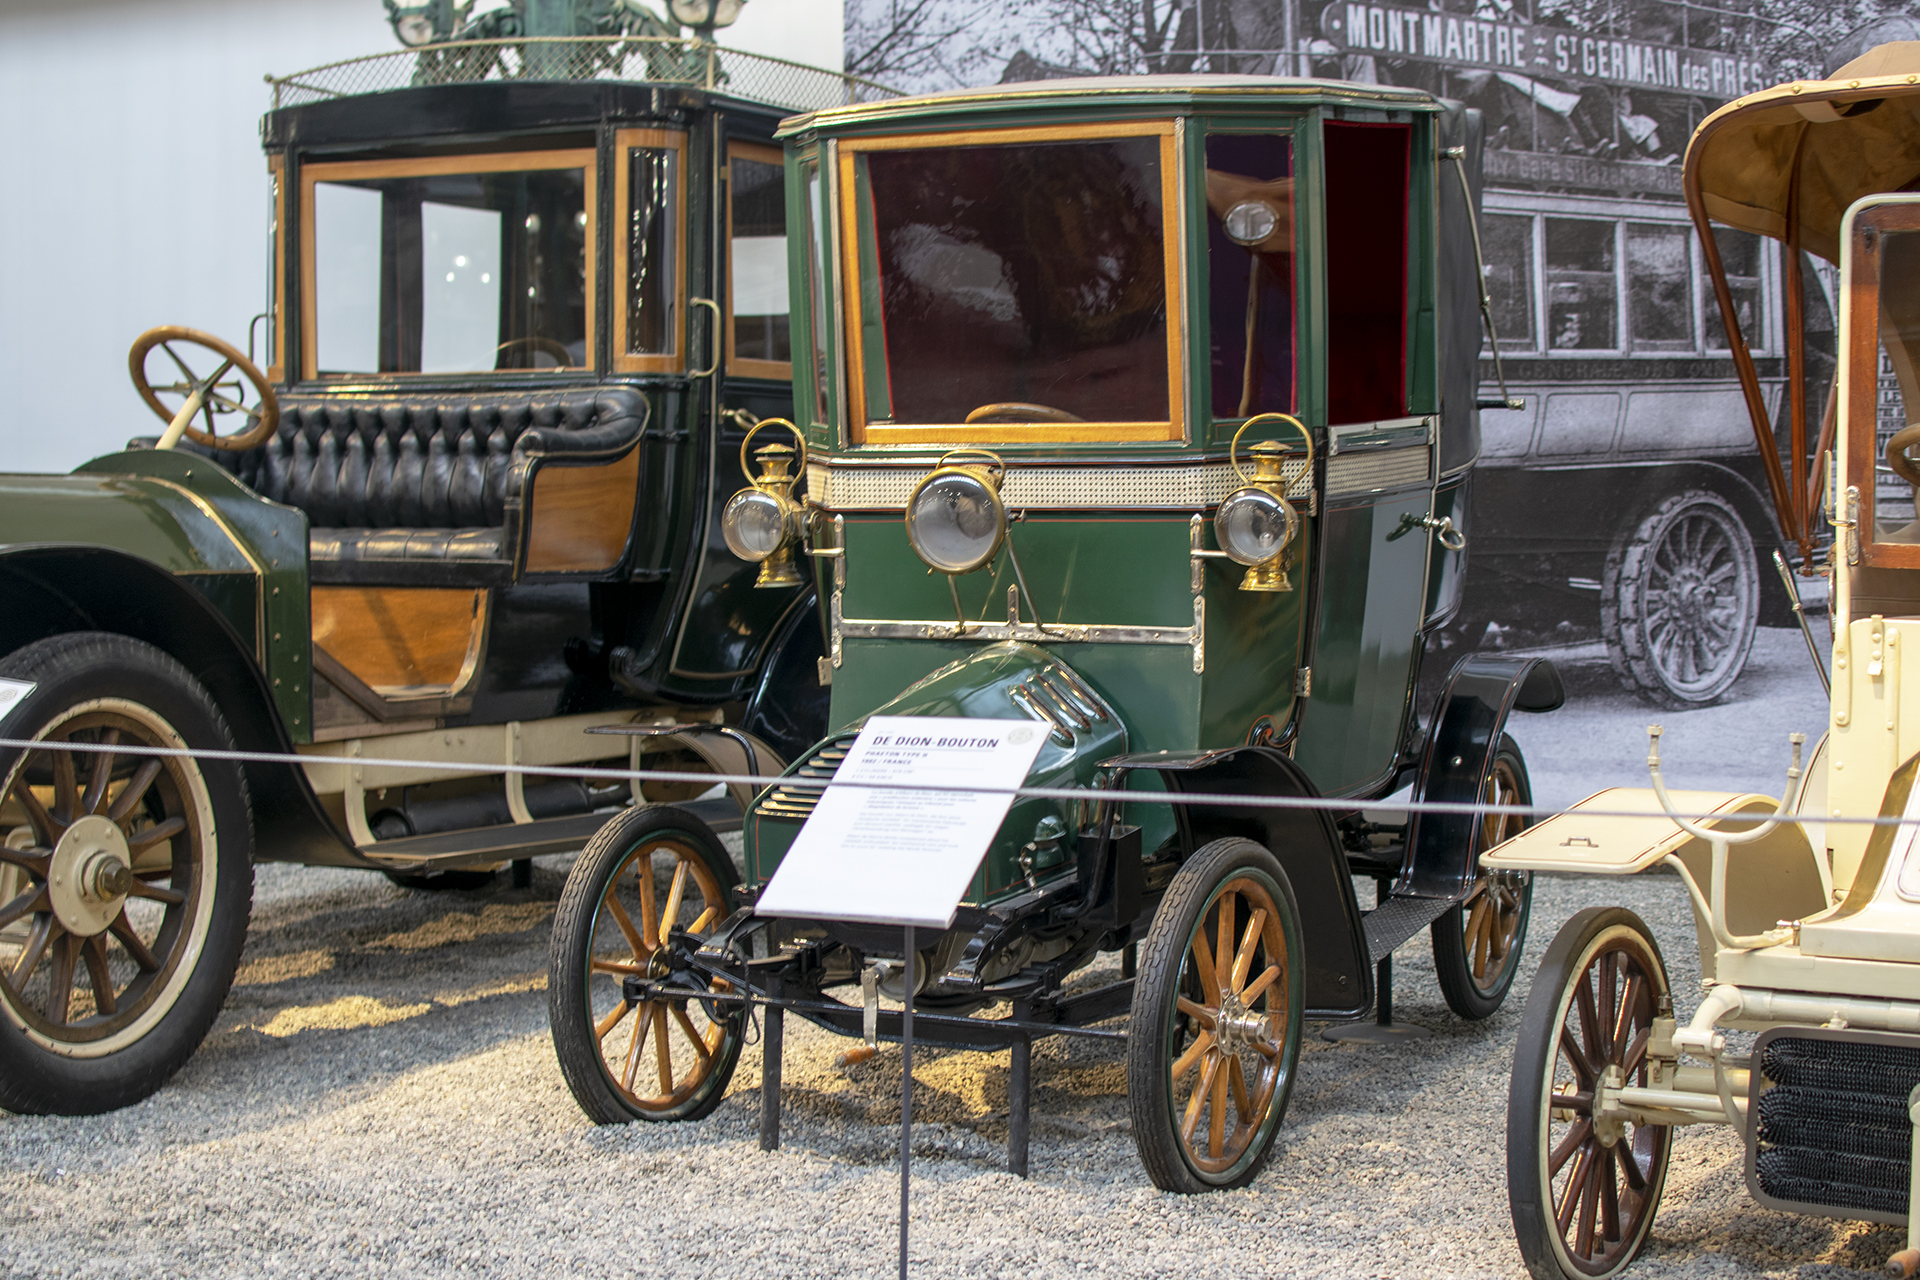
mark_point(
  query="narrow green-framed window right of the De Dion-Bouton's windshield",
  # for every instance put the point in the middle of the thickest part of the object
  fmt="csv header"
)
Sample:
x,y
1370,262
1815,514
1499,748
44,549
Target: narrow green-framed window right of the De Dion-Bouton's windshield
x,y
1251,273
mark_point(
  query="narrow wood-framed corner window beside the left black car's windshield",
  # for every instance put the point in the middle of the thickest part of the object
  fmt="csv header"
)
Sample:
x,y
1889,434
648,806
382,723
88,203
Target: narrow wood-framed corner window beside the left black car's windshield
x,y
650,320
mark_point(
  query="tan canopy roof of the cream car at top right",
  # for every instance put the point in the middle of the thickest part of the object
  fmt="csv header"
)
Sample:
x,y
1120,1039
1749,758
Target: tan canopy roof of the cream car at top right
x,y
1848,137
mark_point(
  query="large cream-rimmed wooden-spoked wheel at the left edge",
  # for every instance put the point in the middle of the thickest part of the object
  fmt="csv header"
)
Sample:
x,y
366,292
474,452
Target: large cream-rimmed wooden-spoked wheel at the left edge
x,y
126,880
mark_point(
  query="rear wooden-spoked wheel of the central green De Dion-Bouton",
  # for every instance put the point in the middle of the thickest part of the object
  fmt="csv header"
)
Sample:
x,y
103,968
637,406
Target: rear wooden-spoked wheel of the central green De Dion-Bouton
x,y
1472,984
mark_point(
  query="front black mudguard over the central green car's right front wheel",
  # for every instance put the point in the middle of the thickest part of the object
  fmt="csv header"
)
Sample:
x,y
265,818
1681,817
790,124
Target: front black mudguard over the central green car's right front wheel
x,y
1339,974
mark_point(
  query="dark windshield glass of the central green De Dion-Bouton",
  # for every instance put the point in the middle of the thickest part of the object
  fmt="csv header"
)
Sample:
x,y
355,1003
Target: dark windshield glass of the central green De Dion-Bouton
x,y
1017,289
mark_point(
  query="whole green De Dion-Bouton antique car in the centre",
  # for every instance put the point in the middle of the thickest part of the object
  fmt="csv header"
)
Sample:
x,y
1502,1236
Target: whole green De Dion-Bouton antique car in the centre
x,y
1143,410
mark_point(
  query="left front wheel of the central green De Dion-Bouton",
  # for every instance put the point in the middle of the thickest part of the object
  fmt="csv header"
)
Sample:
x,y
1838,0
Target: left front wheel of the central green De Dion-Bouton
x,y
648,874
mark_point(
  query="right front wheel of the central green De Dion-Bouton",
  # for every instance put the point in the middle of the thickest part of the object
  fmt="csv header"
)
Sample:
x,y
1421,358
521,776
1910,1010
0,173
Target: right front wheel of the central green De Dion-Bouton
x,y
1161,1033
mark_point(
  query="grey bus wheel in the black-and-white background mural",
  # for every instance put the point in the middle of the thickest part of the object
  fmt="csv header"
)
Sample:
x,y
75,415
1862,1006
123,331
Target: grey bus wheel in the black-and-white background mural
x,y
1679,602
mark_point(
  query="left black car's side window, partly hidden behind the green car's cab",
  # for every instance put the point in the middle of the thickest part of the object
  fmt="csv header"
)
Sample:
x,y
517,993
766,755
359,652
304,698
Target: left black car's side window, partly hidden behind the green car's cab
x,y
759,344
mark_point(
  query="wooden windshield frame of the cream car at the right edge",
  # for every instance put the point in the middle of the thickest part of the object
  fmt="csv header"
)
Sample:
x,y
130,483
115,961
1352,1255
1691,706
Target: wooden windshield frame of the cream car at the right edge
x,y
1860,369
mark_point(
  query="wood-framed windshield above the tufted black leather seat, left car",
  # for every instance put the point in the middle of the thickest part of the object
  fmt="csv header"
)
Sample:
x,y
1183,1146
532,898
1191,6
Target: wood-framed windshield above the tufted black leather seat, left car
x,y
418,270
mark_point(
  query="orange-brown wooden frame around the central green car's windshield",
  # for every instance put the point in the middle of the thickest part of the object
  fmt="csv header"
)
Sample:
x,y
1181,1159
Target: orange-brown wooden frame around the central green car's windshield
x,y
1174,241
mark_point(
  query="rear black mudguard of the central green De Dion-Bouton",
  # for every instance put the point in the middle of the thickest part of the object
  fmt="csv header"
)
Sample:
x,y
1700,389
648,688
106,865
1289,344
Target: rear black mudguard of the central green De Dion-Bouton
x,y
1483,690
